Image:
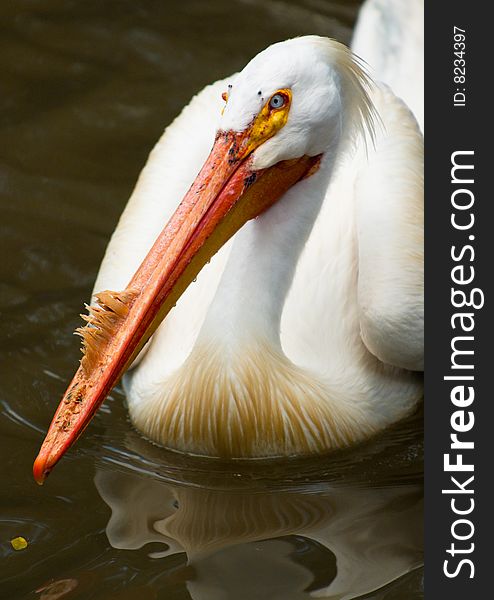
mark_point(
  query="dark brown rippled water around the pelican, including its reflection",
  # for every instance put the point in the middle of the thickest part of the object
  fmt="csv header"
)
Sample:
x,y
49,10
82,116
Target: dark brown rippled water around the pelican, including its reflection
x,y
85,90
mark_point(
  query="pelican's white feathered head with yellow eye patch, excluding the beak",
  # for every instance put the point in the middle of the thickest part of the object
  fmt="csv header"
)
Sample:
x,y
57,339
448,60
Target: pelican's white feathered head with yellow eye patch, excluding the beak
x,y
298,98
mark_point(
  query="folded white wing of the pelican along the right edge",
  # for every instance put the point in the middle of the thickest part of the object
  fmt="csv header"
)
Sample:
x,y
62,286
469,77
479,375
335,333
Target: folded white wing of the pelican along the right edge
x,y
389,218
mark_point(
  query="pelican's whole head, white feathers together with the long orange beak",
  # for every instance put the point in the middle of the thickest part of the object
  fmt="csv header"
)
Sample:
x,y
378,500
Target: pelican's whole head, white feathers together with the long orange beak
x,y
291,104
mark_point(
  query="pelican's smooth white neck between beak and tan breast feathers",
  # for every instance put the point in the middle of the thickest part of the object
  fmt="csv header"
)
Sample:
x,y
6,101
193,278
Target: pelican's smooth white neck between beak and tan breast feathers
x,y
250,297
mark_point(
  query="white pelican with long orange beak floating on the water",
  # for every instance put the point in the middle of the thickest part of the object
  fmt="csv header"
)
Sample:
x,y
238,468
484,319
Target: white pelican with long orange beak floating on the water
x,y
304,333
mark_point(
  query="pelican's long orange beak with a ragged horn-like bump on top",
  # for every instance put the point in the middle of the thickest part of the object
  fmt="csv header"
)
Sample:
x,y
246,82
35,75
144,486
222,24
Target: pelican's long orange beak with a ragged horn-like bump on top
x,y
226,193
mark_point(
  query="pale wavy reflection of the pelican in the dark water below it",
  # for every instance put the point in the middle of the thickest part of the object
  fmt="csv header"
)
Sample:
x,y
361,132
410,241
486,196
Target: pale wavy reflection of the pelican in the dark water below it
x,y
270,531
